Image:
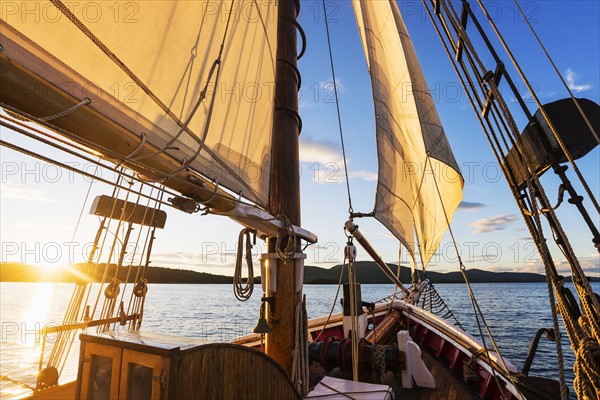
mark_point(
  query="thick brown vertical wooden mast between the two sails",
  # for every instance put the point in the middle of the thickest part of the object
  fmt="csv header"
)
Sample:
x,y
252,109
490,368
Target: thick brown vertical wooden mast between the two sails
x,y
285,185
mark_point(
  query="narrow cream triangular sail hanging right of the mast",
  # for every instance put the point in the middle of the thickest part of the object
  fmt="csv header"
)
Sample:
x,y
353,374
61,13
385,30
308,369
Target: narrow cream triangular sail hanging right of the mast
x,y
419,184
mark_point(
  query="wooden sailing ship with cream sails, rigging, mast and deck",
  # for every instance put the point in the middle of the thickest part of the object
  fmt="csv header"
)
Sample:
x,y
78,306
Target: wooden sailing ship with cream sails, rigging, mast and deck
x,y
178,145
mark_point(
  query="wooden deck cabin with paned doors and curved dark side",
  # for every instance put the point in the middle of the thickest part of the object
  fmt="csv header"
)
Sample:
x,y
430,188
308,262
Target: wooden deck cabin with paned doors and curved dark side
x,y
140,365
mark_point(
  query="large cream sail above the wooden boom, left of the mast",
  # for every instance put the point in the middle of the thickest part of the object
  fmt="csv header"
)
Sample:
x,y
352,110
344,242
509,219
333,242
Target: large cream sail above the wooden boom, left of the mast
x,y
170,46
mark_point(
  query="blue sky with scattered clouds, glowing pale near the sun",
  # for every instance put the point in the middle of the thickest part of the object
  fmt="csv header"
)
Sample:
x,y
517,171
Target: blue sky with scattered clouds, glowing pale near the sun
x,y
40,204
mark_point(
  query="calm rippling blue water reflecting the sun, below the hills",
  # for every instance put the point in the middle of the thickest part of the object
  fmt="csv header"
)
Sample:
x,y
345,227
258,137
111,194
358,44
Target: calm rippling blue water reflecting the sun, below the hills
x,y
211,313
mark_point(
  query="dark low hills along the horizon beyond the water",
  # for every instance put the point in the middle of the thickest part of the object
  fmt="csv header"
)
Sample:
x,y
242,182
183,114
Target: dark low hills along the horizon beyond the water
x,y
366,271
